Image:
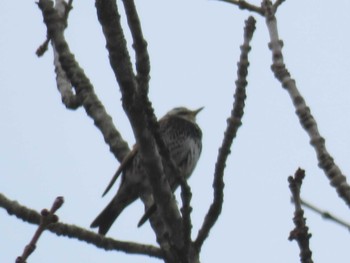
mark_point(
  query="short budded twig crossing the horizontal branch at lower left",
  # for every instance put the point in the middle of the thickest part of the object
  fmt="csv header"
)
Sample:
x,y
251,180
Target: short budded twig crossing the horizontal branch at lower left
x,y
47,218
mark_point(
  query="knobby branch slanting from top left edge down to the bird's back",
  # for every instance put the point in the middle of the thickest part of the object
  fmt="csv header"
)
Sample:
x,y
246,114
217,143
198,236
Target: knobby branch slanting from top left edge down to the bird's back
x,y
83,87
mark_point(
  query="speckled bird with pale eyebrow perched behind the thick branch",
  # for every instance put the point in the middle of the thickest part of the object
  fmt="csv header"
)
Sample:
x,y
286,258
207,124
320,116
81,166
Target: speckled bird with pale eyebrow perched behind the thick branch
x,y
183,138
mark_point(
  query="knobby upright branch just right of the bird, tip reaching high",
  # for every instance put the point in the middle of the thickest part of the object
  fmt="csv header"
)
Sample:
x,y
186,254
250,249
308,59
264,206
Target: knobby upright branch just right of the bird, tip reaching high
x,y
233,123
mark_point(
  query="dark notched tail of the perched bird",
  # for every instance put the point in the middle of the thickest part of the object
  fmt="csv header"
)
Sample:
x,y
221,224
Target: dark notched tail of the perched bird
x,y
106,218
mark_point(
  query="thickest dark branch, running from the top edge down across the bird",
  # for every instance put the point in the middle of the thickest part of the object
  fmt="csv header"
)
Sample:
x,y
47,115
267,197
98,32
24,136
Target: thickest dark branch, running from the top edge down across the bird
x,y
140,113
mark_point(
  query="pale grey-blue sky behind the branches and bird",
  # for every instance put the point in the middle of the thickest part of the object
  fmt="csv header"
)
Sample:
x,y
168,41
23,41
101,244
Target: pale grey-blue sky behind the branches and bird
x,y
47,151
